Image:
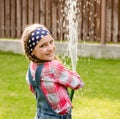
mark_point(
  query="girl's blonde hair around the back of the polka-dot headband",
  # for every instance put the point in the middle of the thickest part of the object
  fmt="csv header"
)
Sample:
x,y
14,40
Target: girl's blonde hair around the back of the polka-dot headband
x,y
25,37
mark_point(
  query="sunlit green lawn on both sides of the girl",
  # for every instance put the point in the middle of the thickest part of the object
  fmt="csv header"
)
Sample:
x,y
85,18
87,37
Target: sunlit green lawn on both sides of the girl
x,y
99,99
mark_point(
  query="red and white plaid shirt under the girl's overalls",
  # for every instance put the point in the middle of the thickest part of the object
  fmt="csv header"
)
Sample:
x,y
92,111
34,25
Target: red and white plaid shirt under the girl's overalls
x,y
55,79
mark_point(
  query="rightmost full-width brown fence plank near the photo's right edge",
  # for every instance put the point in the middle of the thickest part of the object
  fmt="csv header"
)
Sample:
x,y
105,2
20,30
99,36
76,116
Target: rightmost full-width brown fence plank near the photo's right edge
x,y
115,21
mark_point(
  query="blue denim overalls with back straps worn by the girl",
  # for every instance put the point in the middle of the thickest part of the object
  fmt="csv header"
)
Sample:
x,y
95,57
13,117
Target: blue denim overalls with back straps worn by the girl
x,y
44,111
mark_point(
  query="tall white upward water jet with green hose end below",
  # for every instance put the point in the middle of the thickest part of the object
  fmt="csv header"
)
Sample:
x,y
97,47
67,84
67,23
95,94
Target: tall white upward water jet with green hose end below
x,y
73,34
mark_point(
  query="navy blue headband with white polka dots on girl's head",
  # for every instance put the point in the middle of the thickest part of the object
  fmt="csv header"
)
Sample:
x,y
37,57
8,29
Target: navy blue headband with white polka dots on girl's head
x,y
35,37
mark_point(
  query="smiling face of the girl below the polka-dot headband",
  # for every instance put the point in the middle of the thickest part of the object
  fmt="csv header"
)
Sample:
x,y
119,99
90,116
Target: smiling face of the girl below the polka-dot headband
x,y
45,49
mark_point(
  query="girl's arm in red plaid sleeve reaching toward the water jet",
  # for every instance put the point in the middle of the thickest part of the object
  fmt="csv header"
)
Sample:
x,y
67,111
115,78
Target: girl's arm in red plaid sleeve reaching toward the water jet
x,y
67,77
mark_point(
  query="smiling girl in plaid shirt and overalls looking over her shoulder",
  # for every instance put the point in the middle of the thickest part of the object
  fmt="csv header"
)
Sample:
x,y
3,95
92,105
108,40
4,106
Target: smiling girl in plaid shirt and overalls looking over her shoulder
x,y
53,101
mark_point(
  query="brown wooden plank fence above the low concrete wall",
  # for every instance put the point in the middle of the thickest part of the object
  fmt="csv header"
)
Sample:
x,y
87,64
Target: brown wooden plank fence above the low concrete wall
x,y
99,19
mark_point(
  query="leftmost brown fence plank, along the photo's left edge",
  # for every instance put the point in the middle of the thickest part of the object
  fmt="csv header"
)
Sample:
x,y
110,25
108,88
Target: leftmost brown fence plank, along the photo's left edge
x,y
2,19
